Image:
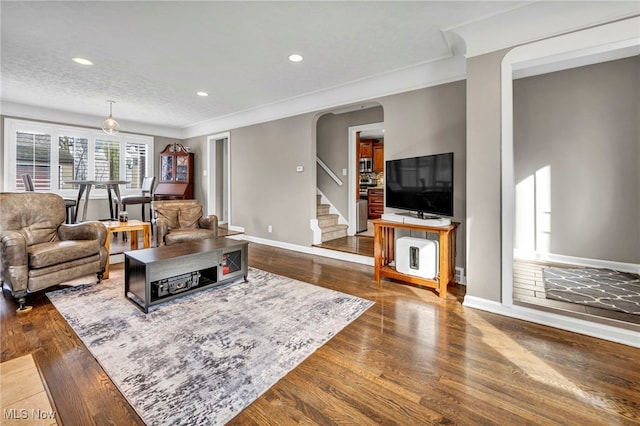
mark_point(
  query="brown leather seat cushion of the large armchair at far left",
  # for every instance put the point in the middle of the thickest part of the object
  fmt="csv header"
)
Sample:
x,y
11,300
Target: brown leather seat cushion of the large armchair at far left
x,y
48,254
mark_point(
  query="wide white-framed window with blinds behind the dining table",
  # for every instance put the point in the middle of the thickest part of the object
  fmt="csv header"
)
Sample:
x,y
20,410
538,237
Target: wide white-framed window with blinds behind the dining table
x,y
80,154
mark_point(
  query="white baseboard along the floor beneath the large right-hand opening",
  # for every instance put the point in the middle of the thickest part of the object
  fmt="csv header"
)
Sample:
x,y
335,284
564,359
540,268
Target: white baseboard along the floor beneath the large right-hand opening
x,y
575,325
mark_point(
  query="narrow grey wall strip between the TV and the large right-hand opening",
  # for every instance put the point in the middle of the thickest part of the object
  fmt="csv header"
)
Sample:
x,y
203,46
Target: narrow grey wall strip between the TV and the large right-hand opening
x,y
484,177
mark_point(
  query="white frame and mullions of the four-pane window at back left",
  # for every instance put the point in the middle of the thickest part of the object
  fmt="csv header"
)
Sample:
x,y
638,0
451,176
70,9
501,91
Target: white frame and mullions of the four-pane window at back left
x,y
12,126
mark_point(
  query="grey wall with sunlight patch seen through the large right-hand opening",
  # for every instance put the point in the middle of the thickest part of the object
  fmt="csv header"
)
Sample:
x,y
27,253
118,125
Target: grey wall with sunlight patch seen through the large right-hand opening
x,y
576,146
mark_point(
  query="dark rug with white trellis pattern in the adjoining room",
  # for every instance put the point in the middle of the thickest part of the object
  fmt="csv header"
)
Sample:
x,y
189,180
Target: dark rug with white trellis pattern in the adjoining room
x,y
601,288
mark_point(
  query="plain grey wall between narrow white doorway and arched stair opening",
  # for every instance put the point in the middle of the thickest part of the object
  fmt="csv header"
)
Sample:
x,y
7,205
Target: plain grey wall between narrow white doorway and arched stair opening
x,y
266,189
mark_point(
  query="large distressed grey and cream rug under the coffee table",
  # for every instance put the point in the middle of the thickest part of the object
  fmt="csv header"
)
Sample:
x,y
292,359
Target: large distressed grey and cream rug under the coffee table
x,y
203,358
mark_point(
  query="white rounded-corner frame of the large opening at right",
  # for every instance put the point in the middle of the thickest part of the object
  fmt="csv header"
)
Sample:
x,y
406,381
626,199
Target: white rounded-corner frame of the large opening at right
x,y
611,38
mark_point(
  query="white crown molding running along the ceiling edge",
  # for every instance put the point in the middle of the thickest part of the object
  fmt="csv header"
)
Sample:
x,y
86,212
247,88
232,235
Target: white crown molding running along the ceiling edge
x,y
524,23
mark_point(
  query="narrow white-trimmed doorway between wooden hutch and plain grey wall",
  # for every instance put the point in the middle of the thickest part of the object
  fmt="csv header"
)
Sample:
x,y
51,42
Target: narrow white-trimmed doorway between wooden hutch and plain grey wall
x,y
219,177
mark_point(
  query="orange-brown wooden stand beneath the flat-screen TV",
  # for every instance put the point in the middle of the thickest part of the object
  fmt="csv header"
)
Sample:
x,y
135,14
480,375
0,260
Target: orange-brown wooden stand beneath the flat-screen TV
x,y
384,254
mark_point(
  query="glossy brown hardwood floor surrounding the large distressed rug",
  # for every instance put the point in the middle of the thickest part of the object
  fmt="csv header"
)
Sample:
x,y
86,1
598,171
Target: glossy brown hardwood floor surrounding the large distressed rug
x,y
410,359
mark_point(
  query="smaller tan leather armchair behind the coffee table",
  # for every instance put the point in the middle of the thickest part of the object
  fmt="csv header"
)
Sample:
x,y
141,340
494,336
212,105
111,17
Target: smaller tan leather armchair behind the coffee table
x,y
182,220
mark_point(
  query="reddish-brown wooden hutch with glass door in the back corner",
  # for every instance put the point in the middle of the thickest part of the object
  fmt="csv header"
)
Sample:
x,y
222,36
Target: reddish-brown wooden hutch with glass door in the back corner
x,y
176,174
